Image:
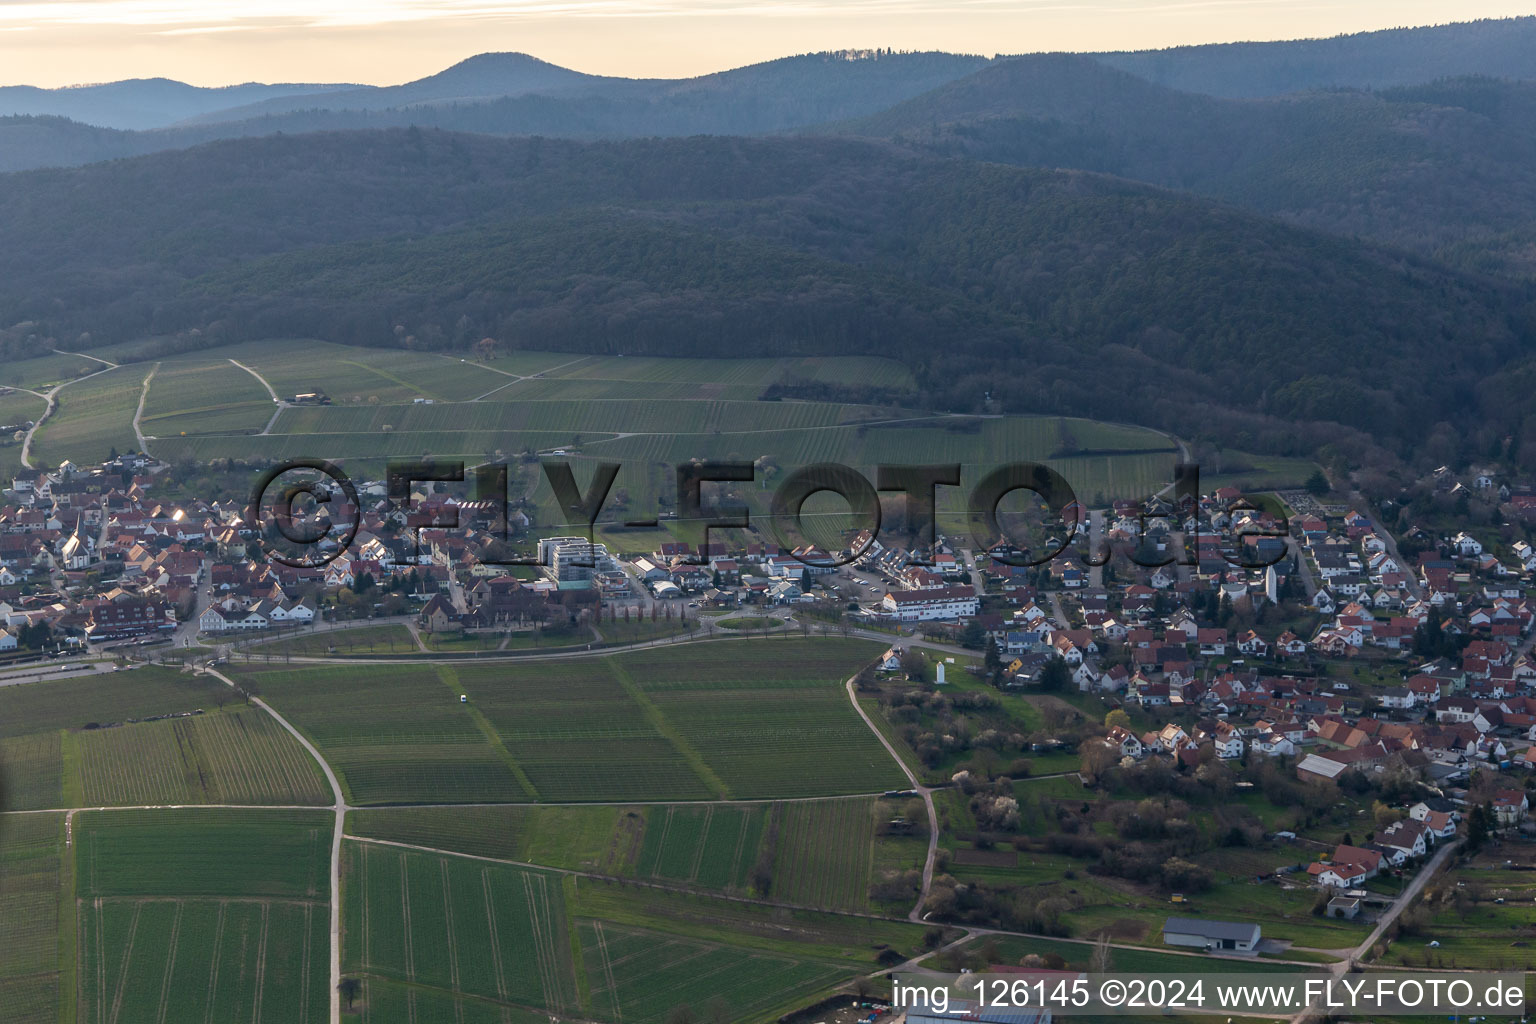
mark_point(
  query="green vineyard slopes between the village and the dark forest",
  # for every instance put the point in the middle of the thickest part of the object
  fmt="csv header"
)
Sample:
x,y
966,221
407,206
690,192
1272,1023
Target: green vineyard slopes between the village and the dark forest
x,y
646,414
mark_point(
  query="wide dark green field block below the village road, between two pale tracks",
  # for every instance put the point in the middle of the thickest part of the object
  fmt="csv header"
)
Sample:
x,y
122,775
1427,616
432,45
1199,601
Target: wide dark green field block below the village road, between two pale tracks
x,y
674,724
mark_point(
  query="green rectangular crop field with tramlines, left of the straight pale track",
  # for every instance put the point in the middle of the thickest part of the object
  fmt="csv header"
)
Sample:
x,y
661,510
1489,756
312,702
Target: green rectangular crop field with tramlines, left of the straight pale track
x,y
204,914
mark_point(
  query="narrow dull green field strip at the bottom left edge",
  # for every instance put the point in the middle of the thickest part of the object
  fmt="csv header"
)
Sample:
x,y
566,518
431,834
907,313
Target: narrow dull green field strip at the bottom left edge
x,y
33,874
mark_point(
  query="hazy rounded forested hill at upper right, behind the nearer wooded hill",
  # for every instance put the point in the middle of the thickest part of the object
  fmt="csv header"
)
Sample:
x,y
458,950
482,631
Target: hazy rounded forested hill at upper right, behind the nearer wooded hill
x,y
1446,170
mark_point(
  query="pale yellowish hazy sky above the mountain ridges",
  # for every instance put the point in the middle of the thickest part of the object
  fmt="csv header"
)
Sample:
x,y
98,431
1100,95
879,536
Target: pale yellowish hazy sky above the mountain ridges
x,y
220,42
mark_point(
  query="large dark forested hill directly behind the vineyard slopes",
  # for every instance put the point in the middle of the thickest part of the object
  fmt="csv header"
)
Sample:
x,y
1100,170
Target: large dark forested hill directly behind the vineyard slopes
x,y
1059,291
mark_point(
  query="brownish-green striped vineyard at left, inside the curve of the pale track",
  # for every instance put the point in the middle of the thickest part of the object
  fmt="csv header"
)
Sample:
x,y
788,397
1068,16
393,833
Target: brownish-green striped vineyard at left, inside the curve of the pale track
x,y
230,758
